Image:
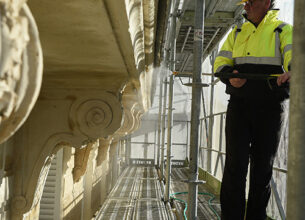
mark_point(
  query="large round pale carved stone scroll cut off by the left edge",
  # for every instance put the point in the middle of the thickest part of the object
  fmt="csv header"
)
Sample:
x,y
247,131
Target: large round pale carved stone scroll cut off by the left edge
x,y
20,66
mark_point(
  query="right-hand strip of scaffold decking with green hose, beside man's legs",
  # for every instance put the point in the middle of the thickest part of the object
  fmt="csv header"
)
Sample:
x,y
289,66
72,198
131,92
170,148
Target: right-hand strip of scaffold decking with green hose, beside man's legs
x,y
204,211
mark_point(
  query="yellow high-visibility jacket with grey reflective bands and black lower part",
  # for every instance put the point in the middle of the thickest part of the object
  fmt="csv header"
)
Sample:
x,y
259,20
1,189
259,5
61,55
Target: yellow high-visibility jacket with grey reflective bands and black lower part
x,y
265,49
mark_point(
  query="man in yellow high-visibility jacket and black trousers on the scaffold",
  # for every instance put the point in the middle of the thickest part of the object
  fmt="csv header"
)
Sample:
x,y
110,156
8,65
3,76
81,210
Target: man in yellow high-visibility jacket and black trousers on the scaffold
x,y
262,45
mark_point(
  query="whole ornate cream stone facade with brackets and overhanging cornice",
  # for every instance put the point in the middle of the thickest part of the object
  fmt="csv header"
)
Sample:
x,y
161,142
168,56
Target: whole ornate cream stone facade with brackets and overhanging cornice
x,y
76,76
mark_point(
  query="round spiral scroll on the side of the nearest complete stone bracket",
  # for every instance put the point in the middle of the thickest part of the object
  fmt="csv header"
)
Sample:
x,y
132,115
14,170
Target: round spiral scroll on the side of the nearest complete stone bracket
x,y
96,117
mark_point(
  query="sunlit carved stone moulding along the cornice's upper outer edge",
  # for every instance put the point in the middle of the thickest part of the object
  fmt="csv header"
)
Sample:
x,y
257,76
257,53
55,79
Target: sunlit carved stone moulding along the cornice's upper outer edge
x,y
142,18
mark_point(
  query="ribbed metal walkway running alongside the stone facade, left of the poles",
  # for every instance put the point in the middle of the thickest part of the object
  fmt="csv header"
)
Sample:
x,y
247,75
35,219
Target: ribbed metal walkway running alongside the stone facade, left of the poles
x,y
136,195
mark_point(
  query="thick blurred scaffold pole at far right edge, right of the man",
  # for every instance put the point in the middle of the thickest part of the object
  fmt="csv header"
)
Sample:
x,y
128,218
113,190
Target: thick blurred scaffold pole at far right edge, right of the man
x,y
296,153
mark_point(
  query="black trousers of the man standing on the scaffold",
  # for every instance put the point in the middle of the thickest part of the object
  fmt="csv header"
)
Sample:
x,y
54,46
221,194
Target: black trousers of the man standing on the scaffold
x,y
252,132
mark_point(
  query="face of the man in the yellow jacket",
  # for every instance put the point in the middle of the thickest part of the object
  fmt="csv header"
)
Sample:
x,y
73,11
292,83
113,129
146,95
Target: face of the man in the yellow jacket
x,y
256,10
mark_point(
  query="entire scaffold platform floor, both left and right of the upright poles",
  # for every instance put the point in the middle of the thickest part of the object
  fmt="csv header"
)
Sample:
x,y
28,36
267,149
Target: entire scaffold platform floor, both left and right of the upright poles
x,y
138,195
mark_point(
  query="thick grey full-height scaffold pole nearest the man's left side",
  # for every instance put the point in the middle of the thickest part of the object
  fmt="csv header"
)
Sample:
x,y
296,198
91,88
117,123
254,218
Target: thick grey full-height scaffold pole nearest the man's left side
x,y
195,112
